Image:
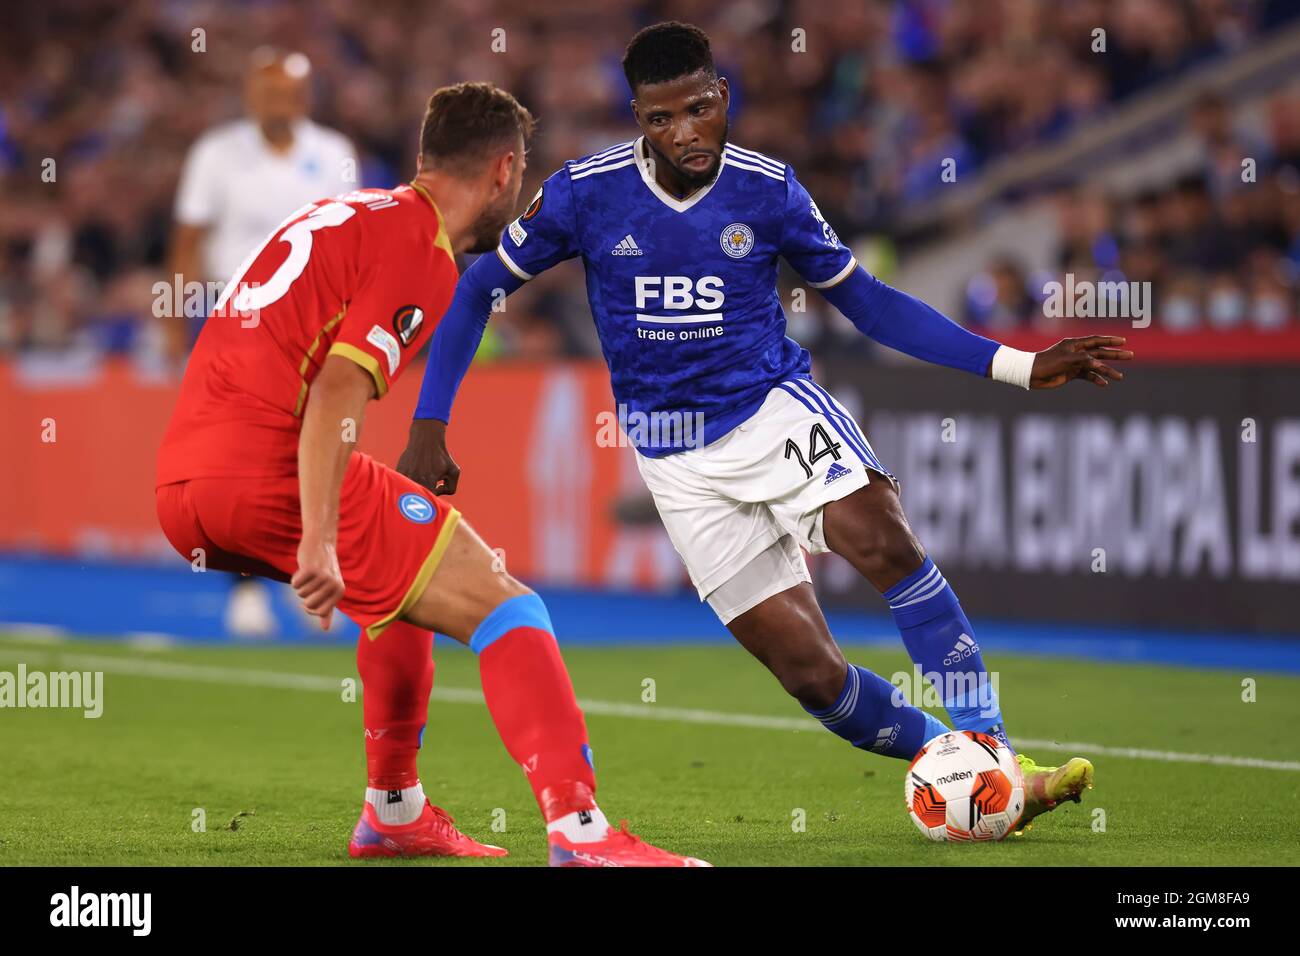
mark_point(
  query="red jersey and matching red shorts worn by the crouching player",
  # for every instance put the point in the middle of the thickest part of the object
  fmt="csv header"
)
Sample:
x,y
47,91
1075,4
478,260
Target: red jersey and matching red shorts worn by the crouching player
x,y
366,278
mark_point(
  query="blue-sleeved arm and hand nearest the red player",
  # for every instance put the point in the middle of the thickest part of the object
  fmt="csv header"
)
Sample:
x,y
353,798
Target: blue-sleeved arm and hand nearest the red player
x,y
453,348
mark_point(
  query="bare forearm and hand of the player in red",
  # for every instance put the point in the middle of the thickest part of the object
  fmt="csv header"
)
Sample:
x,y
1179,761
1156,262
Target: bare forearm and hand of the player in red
x,y
332,425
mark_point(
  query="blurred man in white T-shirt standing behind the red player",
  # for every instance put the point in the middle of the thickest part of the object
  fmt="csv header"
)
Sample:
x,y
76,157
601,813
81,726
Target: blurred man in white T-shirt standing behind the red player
x,y
244,179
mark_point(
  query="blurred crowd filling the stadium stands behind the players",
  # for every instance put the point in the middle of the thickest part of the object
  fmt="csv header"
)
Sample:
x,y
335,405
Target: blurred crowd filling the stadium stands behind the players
x,y
866,103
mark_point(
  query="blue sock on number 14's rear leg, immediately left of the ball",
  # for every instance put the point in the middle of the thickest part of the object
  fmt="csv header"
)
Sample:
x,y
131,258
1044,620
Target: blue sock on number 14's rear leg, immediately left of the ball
x,y
872,716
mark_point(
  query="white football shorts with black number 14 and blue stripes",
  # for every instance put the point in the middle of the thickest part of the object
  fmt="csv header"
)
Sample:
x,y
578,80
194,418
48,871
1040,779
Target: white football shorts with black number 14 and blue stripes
x,y
766,481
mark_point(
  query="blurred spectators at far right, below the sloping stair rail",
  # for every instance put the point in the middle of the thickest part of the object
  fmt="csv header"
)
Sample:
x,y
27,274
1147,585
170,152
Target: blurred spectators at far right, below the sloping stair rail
x,y
1221,249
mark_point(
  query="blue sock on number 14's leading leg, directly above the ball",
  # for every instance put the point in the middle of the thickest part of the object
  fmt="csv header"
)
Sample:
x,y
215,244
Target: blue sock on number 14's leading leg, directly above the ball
x,y
942,643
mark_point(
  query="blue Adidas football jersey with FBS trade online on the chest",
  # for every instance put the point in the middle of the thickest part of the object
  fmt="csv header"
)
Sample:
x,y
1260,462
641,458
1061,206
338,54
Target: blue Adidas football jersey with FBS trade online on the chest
x,y
683,291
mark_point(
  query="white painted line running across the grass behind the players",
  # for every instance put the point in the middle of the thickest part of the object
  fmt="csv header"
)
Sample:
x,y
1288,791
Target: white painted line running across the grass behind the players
x,y
244,677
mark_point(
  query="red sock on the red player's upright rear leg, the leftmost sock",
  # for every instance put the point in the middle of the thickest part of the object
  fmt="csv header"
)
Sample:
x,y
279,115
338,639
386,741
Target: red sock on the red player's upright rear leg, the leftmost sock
x,y
397,677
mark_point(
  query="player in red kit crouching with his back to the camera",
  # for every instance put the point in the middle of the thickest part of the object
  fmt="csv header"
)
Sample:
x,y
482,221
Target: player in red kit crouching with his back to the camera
x,y
259,474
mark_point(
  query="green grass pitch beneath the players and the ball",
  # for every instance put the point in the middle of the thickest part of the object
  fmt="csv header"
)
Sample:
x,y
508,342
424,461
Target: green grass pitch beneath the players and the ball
x,y
268,732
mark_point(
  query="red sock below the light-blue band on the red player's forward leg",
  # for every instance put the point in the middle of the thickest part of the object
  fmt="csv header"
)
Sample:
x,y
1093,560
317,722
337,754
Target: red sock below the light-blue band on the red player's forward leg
x,y
531,699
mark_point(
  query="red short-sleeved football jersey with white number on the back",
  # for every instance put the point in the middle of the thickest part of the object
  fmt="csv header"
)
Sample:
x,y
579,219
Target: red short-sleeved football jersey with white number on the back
x,y
366,276
